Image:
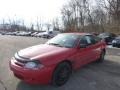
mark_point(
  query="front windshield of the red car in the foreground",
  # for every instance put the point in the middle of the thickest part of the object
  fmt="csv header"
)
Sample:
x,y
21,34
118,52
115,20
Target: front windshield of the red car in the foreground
x,y
64,40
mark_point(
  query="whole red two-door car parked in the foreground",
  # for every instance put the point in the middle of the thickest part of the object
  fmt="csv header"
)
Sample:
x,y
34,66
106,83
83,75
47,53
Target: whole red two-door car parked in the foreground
x,y
54,61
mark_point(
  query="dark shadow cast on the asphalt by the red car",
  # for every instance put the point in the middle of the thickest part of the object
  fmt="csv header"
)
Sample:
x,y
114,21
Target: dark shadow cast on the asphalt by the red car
x,y
83,79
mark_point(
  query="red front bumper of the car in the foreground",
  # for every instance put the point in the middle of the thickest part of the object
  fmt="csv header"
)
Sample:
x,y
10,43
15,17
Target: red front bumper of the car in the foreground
x,y
40,76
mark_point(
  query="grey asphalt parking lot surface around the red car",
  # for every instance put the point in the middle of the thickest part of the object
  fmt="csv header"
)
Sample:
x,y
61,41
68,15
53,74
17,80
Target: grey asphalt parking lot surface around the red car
x,y
95,76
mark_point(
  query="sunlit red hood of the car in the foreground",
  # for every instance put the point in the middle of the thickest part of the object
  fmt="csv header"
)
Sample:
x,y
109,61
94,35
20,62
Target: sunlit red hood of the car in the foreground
x,y
41,50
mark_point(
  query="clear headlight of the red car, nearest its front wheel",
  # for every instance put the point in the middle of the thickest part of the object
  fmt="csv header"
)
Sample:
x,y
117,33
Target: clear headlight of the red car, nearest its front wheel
x,y
33,65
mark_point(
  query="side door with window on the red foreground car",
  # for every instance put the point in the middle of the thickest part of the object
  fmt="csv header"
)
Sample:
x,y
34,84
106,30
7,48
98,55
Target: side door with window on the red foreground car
x,y
84,54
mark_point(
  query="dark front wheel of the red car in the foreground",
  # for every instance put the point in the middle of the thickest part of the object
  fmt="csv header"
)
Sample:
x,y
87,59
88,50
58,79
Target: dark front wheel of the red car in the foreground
x,y
61,74
